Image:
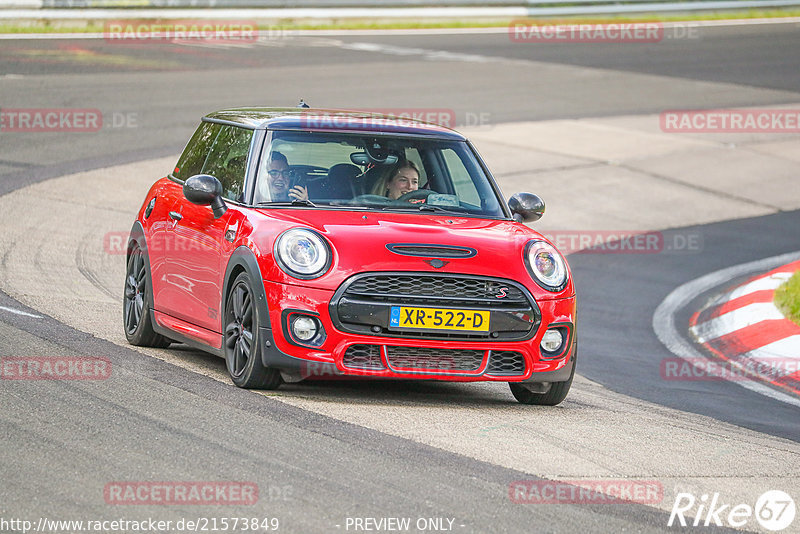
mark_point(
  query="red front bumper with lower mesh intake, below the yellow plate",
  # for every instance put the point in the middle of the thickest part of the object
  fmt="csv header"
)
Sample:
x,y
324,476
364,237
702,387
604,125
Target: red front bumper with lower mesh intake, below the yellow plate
x,y
390,356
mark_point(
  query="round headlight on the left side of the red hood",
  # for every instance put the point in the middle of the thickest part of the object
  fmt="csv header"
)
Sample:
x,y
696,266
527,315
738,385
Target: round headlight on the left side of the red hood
x,y
302,253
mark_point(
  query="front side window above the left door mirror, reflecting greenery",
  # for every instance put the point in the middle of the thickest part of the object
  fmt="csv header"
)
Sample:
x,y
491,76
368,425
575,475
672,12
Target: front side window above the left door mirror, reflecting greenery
x,y
227,161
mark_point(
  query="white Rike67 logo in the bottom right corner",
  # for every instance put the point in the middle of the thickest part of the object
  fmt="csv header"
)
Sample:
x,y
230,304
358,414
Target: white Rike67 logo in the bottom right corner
x,y
774,510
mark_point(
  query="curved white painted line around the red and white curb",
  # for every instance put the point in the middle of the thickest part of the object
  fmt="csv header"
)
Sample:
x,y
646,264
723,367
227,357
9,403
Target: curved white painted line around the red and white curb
x,y
667,332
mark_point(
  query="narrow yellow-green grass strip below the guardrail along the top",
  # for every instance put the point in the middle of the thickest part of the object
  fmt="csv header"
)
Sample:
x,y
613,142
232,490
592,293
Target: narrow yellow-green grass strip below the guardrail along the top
x,y
98,26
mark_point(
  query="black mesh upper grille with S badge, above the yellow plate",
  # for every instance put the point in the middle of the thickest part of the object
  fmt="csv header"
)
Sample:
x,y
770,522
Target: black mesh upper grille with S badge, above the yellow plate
x,y
478,290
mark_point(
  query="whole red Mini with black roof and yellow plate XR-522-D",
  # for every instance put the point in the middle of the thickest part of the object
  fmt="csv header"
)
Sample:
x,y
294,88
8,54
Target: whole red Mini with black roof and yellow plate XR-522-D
x,y
297,243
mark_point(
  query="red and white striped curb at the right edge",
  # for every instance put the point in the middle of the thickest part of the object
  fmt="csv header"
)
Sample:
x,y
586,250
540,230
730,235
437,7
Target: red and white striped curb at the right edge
x,y
744,327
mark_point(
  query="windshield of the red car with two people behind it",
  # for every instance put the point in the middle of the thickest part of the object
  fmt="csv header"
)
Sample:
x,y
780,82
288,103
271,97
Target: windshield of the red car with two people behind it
x,y
374,173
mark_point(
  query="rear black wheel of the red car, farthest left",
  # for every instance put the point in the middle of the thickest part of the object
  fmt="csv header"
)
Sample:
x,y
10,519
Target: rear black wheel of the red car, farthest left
x,y
136,314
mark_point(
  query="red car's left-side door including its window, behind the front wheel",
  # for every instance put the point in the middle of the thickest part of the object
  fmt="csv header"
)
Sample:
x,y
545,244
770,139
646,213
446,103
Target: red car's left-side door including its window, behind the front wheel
x,y
201,243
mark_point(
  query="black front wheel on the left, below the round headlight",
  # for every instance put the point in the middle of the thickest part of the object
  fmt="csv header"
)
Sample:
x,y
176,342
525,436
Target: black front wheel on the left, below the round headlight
x,y
240,342
